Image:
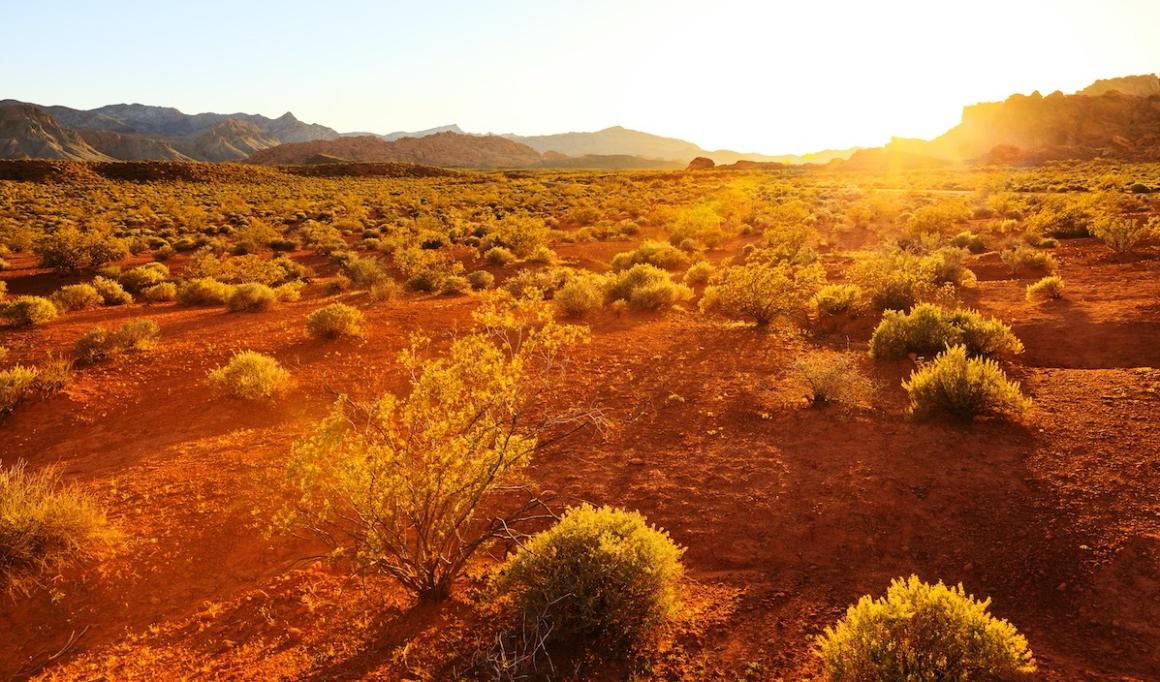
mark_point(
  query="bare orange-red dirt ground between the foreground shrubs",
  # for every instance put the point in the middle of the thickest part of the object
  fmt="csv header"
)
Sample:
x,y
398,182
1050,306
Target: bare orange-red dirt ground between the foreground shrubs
x,y
789,514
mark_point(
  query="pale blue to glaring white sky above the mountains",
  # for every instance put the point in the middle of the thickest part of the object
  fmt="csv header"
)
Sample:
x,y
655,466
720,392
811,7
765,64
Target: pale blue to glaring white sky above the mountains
x,y
749,76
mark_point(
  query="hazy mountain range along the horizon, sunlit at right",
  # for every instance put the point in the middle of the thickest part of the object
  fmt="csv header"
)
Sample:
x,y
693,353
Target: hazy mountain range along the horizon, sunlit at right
x,y
1115,118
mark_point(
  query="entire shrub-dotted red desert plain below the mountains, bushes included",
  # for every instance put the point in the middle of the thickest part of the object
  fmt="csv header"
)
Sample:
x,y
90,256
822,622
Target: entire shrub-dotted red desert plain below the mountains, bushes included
x,y
582,426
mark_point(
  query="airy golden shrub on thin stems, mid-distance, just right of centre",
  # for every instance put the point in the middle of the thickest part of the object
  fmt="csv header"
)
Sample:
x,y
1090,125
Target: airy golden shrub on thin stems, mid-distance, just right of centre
x,y
763,292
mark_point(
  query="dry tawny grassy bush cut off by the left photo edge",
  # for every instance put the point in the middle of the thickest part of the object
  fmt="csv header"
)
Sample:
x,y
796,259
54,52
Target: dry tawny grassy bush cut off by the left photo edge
x,y
46,526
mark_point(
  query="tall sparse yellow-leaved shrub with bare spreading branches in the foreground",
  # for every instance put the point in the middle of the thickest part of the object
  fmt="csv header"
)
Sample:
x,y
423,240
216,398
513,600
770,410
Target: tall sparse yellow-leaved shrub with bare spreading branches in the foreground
x,y
396,484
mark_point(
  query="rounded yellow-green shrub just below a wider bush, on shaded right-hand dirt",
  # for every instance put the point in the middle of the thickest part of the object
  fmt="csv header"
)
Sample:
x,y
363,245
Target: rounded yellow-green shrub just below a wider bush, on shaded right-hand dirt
x,y
963,387
